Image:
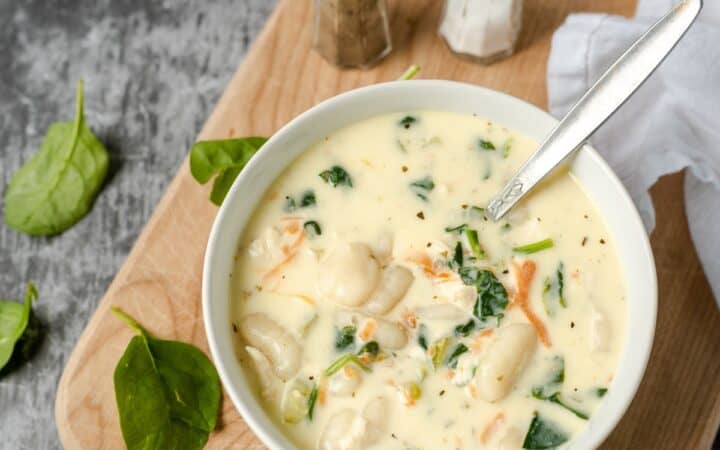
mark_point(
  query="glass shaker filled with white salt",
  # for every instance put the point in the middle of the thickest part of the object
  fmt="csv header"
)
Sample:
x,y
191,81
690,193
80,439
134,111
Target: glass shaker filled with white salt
x,y
482,30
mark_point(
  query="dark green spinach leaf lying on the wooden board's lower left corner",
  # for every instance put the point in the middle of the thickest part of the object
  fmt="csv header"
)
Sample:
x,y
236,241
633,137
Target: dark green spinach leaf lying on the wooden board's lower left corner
x,y
167,393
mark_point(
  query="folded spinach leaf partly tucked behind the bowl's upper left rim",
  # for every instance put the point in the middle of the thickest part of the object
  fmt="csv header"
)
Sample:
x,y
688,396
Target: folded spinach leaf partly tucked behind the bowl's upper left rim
x,y
224,158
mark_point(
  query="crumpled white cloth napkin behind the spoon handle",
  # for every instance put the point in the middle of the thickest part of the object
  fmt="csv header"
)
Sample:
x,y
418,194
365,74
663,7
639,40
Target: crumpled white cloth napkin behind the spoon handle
x,y
672,122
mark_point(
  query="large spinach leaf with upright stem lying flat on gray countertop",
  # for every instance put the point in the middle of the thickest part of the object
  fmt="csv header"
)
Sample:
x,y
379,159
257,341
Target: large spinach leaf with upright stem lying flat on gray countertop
x,y
56,188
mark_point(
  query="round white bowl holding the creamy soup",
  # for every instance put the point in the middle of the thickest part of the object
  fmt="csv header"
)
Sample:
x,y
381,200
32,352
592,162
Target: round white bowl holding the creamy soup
x,y
599,182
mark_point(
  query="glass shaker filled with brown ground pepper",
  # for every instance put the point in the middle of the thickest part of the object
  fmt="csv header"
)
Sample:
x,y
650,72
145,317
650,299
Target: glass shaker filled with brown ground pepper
x,y
351,33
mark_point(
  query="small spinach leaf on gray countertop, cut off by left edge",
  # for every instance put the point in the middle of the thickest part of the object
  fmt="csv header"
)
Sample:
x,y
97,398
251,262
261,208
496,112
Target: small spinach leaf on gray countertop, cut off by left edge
x,y
14,320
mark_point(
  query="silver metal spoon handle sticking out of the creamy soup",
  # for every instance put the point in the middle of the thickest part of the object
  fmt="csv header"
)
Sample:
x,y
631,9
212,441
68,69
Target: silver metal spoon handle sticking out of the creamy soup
x,y
616,85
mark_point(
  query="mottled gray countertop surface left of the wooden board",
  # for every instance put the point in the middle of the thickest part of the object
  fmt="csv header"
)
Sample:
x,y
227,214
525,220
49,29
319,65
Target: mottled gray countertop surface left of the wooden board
x,y
153,70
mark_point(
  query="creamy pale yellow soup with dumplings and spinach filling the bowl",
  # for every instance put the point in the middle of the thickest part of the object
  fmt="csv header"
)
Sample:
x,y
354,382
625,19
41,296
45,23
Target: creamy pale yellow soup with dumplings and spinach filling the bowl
x,y
294,291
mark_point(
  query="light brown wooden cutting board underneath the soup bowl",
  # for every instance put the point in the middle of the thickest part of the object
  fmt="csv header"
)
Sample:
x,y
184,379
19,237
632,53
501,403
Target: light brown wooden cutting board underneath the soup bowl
x,y
678,405
